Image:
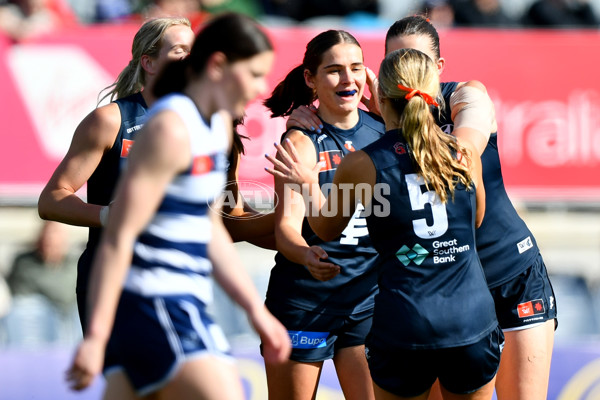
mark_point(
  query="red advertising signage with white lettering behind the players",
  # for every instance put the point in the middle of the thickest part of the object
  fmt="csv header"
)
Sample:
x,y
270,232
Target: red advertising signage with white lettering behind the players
x,y
544,85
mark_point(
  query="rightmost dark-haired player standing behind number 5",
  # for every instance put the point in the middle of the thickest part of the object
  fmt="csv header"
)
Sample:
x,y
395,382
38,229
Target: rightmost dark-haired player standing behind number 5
x,y
511,259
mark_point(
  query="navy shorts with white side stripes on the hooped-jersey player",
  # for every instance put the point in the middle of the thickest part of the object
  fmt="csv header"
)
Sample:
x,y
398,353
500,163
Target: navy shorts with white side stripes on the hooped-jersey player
x,y
153,336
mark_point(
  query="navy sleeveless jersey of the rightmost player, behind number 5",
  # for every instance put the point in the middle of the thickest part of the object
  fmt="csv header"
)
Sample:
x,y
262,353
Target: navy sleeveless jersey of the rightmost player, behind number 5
x,y
506,246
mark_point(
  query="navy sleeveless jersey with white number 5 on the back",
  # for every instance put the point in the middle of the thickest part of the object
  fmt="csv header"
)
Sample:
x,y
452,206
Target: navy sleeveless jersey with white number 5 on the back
x,y
432,289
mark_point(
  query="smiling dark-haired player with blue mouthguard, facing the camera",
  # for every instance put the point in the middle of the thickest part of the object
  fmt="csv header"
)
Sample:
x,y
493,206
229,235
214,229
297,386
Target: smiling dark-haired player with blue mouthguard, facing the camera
x,y
323,291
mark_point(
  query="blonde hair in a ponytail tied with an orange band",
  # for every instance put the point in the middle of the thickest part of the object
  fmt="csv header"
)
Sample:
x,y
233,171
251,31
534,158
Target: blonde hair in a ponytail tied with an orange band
x,y
434,153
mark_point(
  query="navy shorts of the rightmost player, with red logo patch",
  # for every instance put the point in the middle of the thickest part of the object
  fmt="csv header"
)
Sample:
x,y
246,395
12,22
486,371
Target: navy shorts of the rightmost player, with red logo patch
x,y
527,300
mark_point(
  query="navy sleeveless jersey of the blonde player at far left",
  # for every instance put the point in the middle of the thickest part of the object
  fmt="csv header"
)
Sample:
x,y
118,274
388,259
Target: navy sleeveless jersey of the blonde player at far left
x,y
102,183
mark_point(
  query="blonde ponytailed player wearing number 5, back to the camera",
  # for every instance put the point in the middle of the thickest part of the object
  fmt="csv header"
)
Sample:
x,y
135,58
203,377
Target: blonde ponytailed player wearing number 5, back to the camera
x,y
434,315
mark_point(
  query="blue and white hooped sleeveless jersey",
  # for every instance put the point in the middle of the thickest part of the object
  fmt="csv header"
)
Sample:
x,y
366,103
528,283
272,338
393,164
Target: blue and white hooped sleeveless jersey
x,y
170,255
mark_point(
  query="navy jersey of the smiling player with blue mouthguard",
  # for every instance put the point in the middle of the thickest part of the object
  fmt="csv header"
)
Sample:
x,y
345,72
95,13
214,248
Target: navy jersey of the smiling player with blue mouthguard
x,y
353,290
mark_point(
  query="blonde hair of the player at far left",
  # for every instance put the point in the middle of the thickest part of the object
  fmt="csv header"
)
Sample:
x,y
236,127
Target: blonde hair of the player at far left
x,y
147,41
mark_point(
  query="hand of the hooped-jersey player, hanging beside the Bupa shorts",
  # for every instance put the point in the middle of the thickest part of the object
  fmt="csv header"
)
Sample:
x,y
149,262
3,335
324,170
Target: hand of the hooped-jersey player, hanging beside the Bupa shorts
x,y
273,335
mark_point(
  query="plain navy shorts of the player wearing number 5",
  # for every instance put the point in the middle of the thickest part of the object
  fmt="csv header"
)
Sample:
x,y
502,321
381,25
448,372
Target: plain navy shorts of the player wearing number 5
x,y
461,370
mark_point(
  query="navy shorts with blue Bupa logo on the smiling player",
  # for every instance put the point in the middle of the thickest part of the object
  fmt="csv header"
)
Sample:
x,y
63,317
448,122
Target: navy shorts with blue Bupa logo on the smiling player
x,y
316,337
